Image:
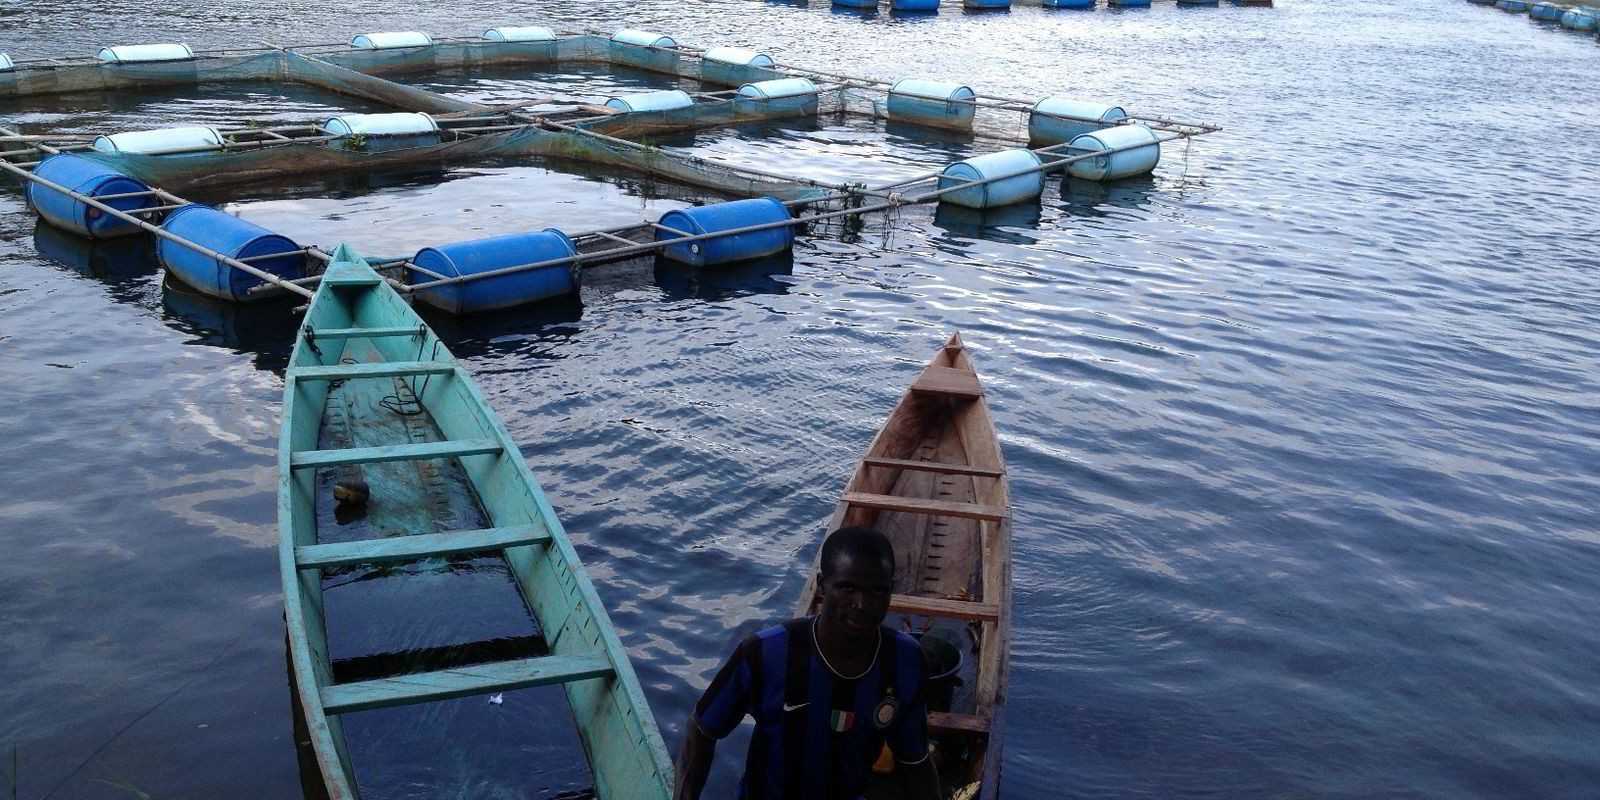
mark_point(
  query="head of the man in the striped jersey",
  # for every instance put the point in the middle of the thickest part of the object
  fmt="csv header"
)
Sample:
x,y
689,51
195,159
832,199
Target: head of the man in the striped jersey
x,y
858,578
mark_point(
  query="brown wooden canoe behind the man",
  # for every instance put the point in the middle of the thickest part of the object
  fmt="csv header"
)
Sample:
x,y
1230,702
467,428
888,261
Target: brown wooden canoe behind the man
x,y
934,481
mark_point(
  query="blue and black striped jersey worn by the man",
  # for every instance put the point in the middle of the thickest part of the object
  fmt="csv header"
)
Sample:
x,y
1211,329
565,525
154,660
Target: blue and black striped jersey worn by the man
x,y
817,734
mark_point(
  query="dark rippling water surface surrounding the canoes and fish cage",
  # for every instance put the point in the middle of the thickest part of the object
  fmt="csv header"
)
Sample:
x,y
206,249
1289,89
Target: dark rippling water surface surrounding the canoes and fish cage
x,y
1303,431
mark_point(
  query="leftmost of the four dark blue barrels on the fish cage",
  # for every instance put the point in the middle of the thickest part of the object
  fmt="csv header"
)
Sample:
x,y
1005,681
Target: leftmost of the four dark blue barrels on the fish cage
x,y
92,180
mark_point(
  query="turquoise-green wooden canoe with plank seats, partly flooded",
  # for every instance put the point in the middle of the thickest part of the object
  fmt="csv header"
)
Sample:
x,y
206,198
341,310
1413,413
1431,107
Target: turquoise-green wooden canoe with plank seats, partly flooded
x,y
362,342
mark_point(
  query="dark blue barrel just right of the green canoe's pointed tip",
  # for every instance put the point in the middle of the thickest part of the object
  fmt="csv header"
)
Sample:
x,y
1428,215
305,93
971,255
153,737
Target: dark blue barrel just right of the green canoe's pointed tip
x,y
487,255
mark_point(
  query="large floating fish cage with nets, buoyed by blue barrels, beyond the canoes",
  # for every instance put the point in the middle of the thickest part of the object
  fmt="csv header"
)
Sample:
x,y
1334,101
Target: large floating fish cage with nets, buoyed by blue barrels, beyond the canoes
x,y
122,185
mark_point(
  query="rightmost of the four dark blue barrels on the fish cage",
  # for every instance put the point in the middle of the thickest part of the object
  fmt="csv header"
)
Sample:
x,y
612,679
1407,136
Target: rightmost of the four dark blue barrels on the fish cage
x,y
727,217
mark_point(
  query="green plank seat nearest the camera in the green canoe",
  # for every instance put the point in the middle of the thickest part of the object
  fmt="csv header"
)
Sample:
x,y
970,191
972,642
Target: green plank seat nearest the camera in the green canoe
x,y
463,682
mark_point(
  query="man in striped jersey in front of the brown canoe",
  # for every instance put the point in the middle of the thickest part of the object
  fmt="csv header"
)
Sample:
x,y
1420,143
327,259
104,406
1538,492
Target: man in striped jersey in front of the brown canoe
x,y
828,692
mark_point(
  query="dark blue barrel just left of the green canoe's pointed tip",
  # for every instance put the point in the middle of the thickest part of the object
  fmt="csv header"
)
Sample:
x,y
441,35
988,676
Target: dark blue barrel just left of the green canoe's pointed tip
x,y
231,238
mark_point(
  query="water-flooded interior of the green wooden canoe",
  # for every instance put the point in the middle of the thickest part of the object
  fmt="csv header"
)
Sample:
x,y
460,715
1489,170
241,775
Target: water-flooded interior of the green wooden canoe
x,y
354,625
